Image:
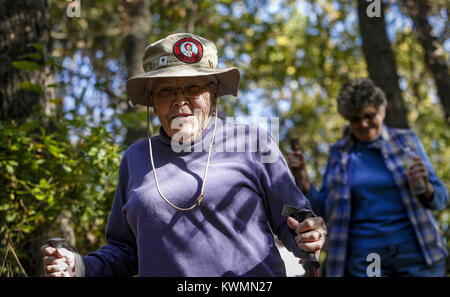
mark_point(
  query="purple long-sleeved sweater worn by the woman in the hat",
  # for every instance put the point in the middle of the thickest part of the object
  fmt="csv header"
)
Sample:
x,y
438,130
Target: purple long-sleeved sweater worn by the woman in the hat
x,y
229,234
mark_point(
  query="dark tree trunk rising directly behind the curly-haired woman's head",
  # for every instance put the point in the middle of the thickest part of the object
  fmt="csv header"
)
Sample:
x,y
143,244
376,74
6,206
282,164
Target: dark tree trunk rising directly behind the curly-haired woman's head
x,y
381,63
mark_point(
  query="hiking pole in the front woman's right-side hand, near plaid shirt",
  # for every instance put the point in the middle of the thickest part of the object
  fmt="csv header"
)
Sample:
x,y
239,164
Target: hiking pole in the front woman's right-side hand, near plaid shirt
x,y
311,264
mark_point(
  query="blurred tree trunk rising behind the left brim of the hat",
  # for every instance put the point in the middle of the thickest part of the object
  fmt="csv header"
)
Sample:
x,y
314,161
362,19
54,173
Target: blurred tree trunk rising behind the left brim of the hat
x,y
138,26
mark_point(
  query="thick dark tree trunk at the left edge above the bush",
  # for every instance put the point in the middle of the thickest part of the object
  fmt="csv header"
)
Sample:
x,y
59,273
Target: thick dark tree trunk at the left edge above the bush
x,y
22,24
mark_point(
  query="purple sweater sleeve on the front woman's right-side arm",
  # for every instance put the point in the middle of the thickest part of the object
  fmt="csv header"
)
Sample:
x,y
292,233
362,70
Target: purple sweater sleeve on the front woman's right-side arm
x,y
277,189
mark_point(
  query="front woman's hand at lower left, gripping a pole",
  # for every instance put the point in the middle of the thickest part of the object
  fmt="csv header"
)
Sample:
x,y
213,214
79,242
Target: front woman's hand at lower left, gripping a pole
x,y
58,262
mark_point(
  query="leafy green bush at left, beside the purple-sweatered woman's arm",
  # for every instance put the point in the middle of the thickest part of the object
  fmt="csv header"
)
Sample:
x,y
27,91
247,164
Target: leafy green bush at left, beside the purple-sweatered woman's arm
x,y
44,173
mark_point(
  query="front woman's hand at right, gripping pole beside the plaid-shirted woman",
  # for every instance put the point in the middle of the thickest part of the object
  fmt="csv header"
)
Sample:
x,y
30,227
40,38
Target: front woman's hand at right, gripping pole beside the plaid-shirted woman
x,y
311,234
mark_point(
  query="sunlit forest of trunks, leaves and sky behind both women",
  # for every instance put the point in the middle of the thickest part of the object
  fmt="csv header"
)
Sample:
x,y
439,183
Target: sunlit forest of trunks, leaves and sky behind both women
x,y
65,119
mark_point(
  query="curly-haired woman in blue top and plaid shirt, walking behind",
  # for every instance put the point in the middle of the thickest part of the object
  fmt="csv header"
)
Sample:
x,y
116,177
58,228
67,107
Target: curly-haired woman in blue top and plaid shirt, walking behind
x,y
366,200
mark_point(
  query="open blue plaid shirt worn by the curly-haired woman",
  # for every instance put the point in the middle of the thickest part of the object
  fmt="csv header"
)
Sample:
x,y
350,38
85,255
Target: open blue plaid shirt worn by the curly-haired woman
x,y
333,200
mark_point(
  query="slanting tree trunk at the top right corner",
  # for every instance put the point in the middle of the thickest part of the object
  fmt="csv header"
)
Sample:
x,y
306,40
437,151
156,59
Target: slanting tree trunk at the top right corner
x,y
434,53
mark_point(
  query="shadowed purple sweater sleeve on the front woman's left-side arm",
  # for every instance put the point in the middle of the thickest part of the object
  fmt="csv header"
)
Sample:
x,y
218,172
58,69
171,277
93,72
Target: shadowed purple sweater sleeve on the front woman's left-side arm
x,y
119,256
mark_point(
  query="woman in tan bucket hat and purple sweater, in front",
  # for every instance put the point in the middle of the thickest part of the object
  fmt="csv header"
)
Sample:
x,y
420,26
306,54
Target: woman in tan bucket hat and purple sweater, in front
x,y
180,211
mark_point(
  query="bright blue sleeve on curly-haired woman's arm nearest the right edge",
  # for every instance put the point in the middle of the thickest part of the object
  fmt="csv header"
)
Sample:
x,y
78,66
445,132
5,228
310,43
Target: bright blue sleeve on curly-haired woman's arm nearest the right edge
x,y
440,197
